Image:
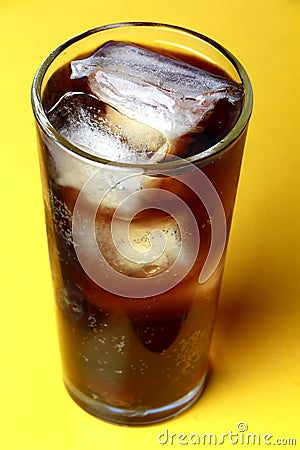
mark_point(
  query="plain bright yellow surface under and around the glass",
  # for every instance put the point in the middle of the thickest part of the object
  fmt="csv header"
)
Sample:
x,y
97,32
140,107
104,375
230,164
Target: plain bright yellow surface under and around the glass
x,y
255,353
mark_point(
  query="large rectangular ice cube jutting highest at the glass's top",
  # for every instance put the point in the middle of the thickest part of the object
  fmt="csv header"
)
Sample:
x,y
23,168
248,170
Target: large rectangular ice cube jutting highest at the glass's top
x,y
162,92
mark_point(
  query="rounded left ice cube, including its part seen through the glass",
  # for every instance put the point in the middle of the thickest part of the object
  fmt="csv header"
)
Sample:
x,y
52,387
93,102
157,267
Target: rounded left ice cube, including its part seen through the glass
x,y
101,130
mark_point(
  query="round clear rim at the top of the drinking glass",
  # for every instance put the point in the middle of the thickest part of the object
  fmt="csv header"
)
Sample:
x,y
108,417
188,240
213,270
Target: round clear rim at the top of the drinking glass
x,y
201,158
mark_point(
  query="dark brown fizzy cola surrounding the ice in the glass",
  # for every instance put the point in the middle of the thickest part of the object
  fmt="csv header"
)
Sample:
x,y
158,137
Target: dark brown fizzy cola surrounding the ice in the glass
x,y
136,353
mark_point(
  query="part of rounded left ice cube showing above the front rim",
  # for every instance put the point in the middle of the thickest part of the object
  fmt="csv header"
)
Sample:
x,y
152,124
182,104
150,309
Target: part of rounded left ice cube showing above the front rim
x,y
101,130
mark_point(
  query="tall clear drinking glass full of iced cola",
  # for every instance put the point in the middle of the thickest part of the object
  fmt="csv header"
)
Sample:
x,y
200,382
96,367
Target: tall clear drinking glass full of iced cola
x,y
137,249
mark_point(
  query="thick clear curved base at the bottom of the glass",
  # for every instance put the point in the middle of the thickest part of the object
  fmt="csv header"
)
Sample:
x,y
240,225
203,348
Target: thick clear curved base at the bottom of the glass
x,y
124,416
